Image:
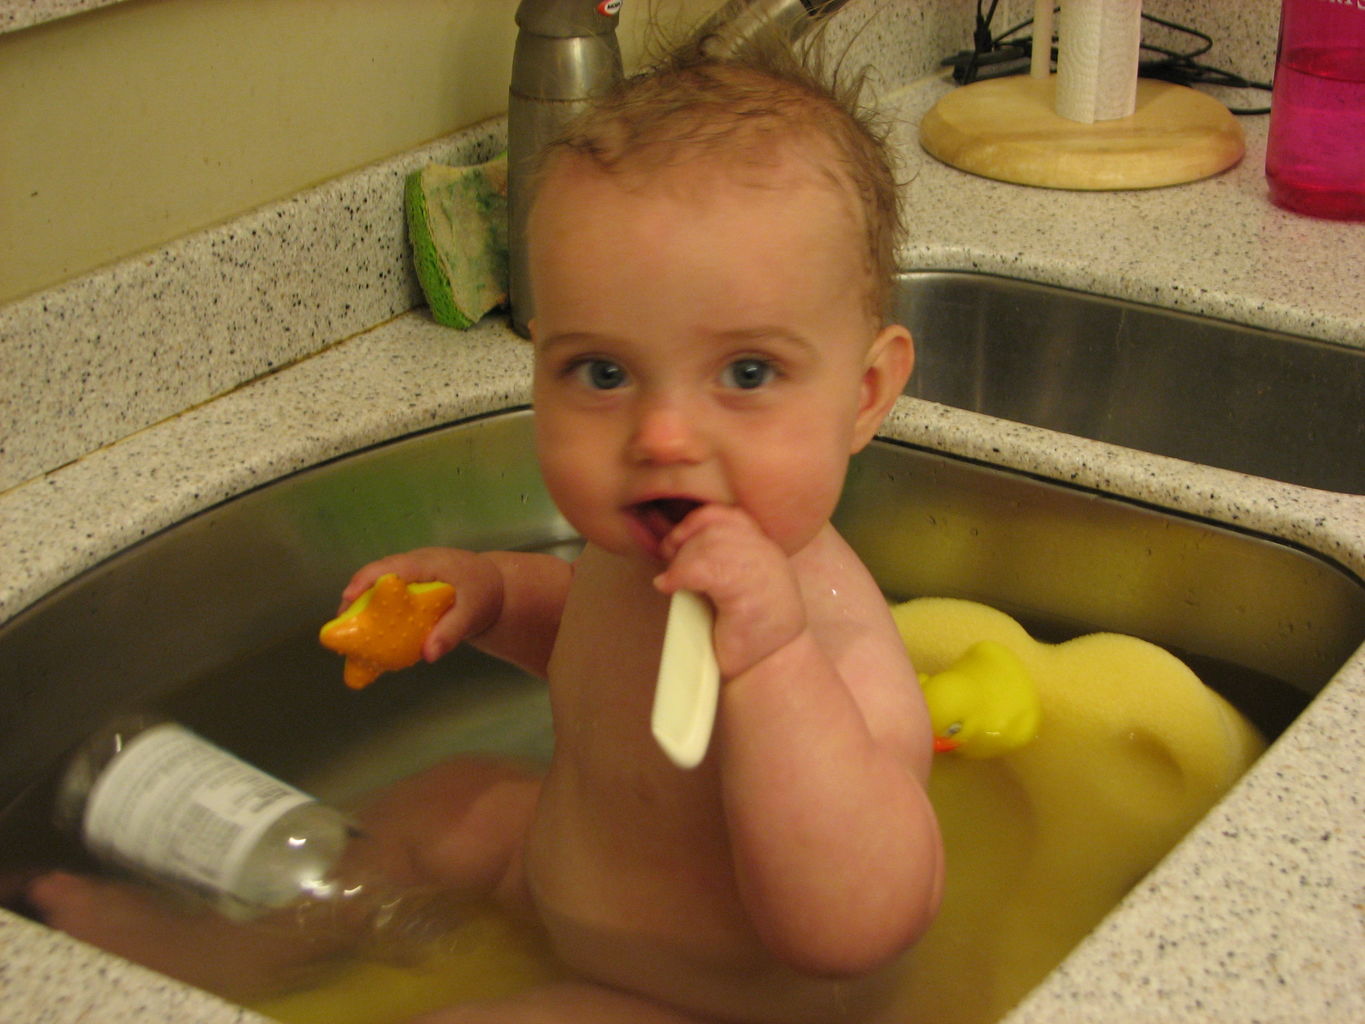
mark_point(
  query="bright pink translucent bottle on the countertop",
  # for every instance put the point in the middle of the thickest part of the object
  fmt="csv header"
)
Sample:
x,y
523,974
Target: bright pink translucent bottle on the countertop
x,y
1315,159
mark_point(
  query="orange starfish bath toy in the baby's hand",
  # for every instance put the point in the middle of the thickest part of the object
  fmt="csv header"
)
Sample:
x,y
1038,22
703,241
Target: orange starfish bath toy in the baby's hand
x,y
384,629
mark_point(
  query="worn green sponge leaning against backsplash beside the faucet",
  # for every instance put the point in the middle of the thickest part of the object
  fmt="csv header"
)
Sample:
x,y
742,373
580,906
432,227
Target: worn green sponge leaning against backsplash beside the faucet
x,y
458,226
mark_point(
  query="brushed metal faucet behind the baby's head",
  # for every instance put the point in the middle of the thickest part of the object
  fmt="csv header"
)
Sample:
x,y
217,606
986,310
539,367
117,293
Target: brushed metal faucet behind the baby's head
x,y
566,55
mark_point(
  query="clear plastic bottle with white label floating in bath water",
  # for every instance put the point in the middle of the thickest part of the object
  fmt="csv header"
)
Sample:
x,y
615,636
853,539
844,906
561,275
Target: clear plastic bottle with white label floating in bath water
x,y
152,798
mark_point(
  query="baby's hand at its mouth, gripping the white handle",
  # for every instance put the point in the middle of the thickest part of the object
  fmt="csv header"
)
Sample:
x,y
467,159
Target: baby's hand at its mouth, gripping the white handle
x,y
719,551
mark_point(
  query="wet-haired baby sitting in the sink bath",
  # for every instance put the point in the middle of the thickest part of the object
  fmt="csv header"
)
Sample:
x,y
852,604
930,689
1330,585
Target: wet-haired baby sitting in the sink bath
x,y
712,253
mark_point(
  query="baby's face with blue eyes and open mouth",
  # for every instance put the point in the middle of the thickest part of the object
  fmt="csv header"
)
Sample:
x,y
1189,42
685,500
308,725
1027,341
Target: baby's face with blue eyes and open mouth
x,y
698,341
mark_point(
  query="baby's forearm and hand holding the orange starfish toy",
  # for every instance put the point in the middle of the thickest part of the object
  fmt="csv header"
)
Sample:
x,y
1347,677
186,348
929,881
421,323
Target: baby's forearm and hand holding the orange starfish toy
x,y
507,604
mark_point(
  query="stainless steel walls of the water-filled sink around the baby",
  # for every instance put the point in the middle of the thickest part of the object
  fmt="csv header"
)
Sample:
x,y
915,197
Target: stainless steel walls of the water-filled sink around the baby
x,y
215,621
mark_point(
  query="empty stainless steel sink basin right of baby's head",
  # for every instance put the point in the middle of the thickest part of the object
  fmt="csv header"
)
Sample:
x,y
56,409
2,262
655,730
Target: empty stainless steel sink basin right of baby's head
x,y
1201,390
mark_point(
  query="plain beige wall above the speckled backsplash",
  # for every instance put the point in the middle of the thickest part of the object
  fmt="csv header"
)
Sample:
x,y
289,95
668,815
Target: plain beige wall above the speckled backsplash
x,y
137,124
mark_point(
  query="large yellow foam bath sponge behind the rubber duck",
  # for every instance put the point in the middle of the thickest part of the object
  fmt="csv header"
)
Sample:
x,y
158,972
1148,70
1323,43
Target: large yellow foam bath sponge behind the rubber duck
x,y
1045,840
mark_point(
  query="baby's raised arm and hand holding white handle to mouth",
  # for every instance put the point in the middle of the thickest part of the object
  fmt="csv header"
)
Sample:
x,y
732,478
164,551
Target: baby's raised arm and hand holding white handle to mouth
x,y
822,757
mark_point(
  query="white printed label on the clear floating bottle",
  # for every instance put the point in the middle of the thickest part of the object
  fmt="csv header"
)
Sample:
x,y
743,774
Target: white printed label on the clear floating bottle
x,y
175,806
